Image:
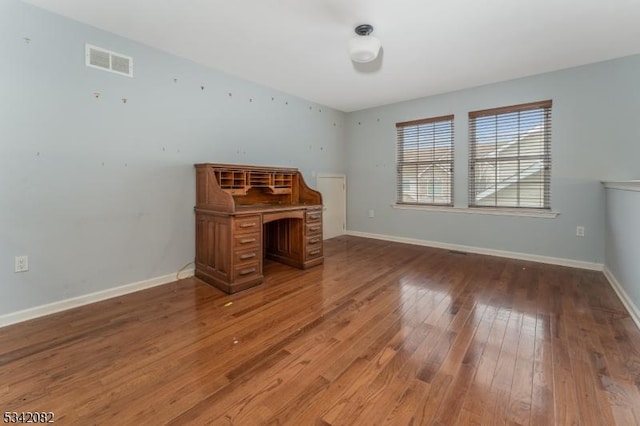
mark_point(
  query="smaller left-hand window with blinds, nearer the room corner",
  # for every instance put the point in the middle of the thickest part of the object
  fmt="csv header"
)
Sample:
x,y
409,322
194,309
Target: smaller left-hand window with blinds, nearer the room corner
x,y
425,161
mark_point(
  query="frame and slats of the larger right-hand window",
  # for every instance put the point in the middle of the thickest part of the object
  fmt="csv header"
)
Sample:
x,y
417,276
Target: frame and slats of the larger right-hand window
x,y
545,156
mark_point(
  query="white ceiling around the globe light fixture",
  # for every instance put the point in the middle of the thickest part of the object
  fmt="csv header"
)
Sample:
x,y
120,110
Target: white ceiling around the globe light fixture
x,y
429,47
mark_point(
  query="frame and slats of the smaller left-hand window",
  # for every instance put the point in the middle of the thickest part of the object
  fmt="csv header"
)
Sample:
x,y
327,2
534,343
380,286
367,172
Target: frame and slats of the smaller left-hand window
x,y
401,163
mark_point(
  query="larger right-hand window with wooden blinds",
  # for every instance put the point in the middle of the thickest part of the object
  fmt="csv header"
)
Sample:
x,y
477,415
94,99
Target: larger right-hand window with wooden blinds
x,y
510,157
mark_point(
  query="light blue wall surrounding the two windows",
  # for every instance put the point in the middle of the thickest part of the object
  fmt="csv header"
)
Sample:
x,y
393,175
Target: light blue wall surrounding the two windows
x,y
595,137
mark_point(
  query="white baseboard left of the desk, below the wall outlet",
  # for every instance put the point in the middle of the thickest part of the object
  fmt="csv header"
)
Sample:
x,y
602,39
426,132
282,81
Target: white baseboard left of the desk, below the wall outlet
x,y
74,302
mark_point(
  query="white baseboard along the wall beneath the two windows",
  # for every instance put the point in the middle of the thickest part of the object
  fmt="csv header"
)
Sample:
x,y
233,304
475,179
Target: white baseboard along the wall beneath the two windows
x,y
479,250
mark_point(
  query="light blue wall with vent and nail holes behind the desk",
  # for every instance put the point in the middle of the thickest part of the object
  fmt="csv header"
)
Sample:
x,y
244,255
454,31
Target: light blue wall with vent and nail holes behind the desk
x,y
99,193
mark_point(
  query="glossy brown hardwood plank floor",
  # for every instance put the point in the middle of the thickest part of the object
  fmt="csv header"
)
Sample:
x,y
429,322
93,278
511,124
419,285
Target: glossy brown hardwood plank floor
x,y
383,333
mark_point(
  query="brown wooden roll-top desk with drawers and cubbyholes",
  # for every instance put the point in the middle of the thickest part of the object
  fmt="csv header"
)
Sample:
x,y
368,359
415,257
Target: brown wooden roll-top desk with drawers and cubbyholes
x,y
247,213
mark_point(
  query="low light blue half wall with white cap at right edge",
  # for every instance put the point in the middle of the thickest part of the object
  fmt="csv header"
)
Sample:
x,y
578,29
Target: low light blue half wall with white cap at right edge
x,y
623,240
